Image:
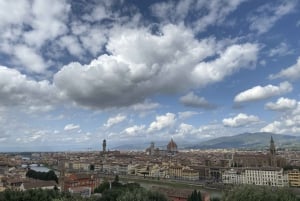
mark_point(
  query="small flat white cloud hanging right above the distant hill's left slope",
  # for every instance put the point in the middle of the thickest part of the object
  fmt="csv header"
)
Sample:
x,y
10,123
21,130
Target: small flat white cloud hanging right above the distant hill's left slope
x,y
240,120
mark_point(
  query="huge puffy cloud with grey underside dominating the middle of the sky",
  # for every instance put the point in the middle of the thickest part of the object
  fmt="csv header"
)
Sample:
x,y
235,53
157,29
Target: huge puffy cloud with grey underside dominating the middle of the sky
x,y
139,61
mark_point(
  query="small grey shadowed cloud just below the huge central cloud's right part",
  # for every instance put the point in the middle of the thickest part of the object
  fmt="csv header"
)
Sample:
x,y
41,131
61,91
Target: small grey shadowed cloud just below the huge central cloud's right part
x,y
192,100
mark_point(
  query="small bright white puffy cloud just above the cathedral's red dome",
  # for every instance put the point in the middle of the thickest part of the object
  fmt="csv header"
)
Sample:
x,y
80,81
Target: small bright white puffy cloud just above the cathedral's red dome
x,y
163,121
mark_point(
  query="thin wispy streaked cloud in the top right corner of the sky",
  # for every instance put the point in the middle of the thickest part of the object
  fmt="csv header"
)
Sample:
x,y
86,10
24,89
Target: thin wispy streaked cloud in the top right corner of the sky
x,y
266,16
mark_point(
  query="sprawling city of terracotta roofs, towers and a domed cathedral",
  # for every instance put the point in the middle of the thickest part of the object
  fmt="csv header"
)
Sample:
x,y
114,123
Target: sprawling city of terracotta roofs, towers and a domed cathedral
x,y
211,171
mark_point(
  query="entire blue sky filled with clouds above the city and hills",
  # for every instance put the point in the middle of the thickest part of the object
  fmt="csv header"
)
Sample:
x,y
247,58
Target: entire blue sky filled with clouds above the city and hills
x,y
73,73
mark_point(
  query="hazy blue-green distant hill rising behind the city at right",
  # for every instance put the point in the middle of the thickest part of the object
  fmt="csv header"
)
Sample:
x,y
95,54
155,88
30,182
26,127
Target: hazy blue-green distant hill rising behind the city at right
x,y
258,140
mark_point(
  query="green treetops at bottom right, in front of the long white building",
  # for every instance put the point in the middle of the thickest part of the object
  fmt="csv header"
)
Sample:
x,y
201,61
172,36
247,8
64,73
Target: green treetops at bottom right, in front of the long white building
x,y
261,193
